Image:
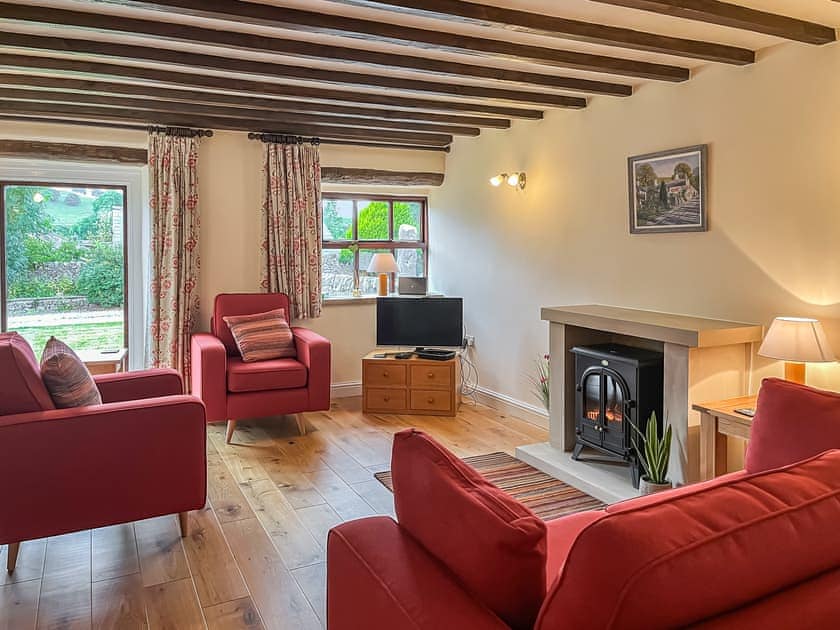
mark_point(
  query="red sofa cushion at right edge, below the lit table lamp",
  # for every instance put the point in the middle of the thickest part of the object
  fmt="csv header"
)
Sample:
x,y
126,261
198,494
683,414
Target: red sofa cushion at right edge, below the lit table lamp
x,y
792,422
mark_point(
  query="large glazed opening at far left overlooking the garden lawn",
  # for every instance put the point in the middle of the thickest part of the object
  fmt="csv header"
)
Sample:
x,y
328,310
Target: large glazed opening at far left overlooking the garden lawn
x,y
63,264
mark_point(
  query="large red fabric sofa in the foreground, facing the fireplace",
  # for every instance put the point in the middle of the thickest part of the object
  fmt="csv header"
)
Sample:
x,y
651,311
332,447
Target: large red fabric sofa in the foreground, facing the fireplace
x,y
742,551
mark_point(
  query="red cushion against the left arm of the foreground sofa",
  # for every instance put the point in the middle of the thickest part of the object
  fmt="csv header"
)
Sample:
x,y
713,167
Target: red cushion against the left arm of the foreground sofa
x,y
493,545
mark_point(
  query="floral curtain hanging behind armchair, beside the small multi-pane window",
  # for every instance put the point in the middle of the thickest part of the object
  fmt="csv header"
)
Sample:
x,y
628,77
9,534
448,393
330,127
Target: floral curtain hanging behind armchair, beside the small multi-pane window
x,y
291,217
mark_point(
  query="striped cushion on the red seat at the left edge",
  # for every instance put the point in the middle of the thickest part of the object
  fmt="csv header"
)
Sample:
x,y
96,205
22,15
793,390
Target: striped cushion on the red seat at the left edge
x,y
66,378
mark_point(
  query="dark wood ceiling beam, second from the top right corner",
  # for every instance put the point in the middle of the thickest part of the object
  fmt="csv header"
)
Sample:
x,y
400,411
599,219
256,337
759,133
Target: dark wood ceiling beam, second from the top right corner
x,y
554,26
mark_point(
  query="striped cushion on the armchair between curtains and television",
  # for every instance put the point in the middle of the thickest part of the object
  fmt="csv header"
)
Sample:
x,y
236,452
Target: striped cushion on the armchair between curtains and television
x,y
262,336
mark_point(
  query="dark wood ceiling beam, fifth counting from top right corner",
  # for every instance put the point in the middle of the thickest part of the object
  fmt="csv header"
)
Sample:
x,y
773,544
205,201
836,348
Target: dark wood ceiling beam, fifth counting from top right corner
x,y
212,62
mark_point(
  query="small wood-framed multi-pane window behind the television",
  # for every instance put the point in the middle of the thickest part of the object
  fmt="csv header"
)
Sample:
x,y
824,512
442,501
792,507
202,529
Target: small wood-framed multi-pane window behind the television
x,y
358,226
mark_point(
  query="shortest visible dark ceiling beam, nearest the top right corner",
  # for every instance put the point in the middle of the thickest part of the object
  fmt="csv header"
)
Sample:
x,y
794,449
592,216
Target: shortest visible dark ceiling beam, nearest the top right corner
x,y
735,16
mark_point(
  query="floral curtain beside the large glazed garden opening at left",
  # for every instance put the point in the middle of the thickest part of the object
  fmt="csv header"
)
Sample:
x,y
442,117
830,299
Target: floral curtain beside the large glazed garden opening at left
x,y
173,182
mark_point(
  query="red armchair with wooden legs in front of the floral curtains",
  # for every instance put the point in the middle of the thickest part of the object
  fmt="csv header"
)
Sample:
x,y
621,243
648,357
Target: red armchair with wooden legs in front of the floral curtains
x,y
234,390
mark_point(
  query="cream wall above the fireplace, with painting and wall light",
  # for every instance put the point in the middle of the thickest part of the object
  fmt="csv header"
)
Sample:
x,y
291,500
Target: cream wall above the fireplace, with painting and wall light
x,y
774,241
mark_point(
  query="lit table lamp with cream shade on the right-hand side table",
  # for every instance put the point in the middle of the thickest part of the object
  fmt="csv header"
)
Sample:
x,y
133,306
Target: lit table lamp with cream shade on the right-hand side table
x,y
796,341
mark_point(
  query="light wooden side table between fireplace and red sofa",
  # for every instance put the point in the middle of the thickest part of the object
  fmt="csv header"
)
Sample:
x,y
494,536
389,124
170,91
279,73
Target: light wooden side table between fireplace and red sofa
x,y
718,421
